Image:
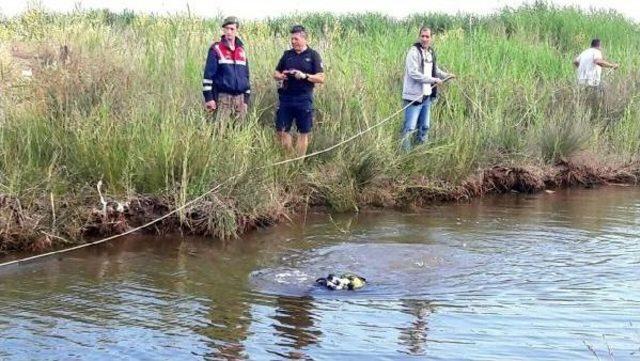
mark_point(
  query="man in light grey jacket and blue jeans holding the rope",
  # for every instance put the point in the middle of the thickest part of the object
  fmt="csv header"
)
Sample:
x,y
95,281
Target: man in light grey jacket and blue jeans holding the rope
x,y
421,77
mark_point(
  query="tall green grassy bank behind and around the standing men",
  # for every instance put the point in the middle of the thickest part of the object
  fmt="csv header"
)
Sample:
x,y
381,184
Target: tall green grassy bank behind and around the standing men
x,y
123,105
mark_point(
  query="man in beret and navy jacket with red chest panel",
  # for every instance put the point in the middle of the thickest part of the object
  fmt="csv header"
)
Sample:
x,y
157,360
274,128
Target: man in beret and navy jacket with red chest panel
x,y
226,85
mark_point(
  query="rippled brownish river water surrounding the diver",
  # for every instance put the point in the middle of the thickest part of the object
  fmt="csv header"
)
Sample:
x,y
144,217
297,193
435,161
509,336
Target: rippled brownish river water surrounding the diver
x,y
550,276
